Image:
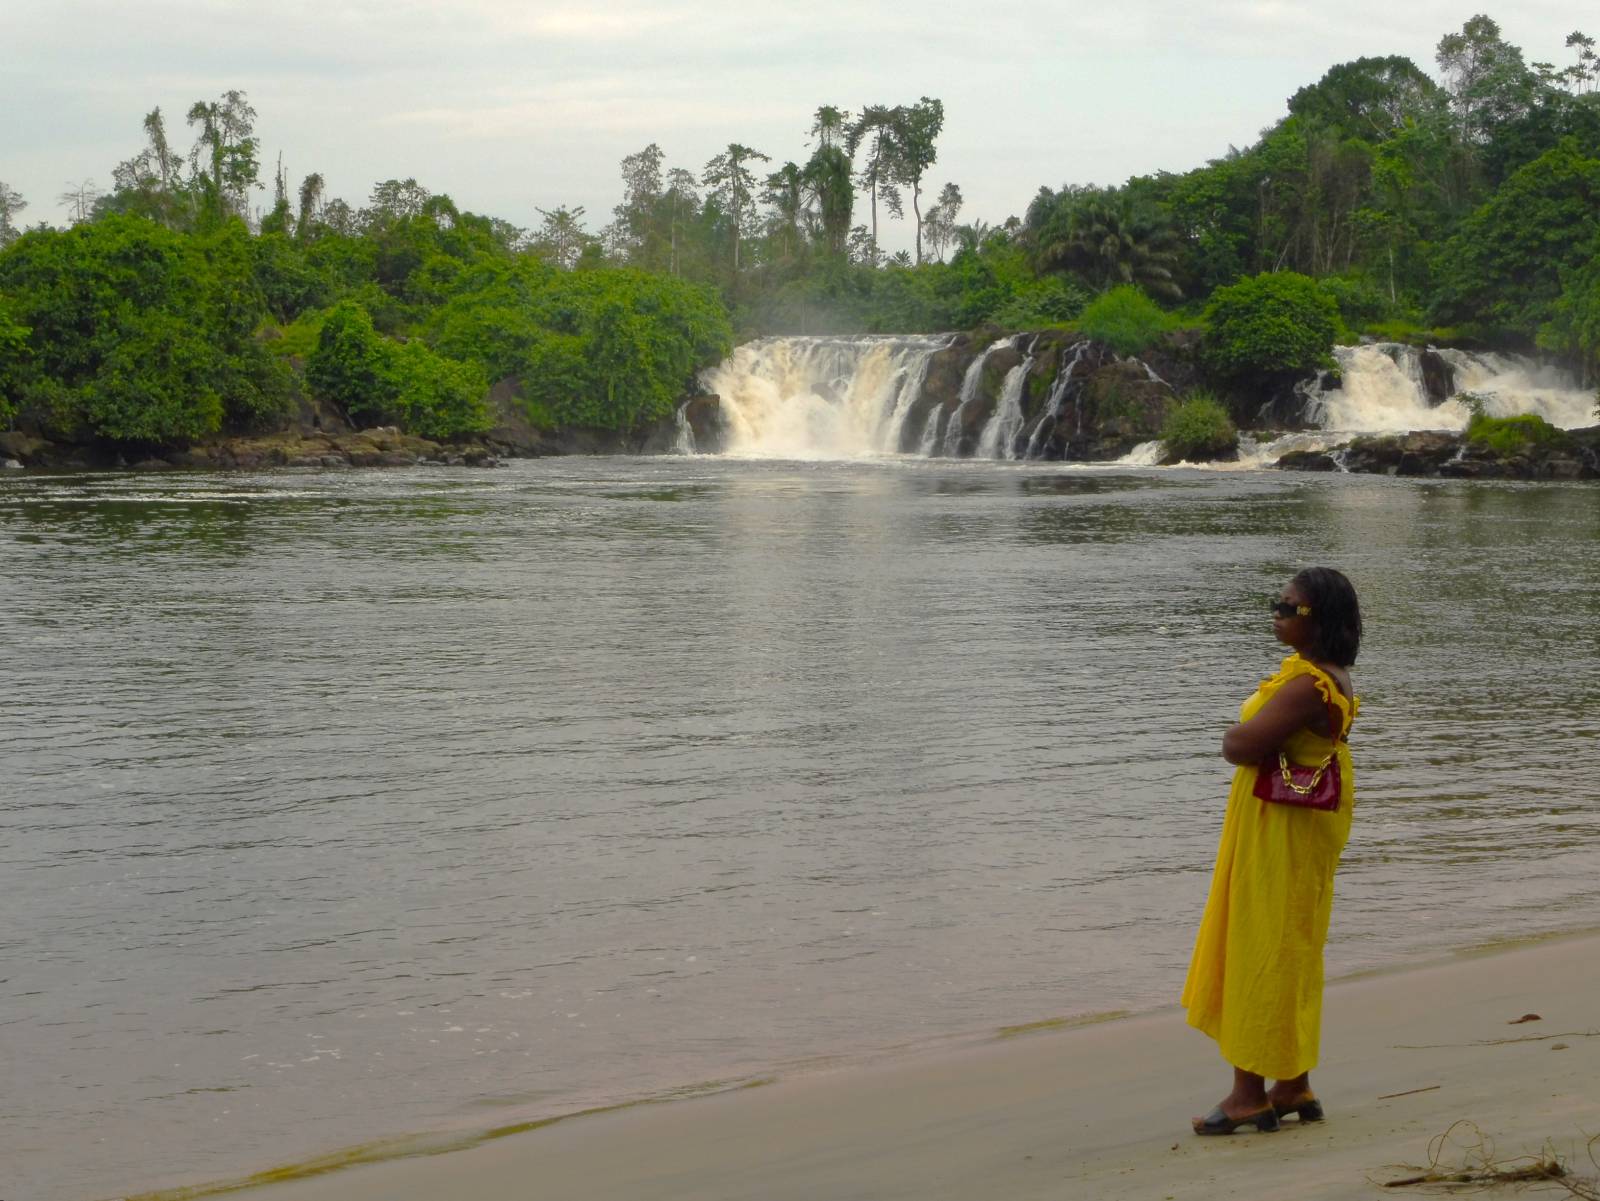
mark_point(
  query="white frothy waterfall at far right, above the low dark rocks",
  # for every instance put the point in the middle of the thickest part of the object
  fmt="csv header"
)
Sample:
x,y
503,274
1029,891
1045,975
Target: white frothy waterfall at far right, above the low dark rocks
x,y
1383,391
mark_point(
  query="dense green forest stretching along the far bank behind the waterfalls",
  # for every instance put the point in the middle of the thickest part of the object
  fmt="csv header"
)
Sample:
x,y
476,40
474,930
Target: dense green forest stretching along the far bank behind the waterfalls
x,y
178,303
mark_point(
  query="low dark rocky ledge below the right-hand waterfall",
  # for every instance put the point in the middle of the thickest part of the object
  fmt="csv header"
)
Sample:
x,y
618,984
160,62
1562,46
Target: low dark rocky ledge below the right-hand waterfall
x,y
1434,453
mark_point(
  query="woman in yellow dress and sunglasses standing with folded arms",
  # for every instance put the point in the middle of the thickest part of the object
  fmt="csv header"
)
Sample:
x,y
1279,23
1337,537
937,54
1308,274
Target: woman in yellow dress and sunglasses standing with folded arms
x,y
1255,983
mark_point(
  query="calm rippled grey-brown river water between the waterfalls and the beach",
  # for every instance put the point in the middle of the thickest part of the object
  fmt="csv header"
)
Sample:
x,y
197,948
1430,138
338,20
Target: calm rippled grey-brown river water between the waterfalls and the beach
x,y
353,805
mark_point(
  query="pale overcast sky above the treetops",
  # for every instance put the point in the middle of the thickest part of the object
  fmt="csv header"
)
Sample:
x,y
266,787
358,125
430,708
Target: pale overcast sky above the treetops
x,y
514,106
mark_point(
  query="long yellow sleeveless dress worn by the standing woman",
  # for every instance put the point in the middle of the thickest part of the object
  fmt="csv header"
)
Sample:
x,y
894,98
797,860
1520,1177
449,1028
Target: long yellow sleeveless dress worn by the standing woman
x,y
1255,981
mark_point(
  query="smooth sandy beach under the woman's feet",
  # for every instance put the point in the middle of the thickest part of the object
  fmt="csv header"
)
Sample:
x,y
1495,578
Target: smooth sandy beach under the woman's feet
x,y
1089,1112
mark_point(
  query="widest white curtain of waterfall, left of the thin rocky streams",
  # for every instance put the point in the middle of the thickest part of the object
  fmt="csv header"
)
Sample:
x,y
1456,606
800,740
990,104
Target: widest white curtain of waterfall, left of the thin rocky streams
x,y
822,397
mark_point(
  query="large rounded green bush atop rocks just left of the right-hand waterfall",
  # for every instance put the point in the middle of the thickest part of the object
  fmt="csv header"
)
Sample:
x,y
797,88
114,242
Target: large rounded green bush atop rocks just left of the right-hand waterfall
x,y
1271,325
